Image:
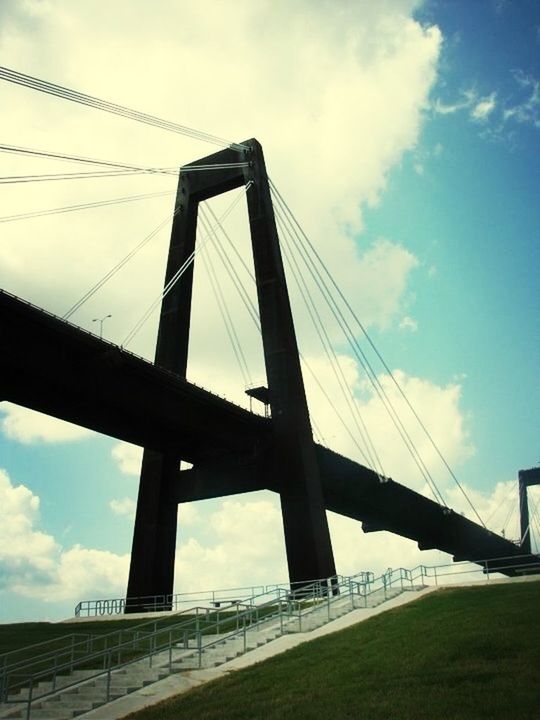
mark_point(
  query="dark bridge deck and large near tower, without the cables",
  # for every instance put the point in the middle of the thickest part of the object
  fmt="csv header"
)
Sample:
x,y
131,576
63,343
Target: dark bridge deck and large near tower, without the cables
x,y
52,366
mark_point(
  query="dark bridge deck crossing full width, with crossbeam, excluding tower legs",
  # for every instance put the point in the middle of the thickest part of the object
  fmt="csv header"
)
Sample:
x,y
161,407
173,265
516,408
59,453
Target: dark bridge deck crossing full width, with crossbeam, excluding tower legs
x,y
51,366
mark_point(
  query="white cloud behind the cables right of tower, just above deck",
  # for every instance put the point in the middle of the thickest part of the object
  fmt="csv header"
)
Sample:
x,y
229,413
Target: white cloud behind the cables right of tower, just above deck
x,y
437,406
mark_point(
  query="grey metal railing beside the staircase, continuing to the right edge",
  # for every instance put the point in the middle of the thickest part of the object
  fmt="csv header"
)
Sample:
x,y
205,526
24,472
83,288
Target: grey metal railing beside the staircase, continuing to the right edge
x,y
190,634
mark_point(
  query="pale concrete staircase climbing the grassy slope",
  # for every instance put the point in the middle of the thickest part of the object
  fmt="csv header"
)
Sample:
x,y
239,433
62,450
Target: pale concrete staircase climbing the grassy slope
x,y
81,691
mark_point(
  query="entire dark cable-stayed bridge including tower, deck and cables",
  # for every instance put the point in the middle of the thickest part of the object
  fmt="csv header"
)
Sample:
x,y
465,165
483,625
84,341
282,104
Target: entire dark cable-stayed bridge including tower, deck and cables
x,y
51,365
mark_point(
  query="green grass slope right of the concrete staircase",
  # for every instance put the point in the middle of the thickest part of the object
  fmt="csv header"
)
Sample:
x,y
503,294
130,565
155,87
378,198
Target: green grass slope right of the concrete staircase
x,y
464,654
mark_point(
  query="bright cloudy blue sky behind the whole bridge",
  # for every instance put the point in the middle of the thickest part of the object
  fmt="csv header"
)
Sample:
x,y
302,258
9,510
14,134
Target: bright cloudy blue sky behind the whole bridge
x,y
405,138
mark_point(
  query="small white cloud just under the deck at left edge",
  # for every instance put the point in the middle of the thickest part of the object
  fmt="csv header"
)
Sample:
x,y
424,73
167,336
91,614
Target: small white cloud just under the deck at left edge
x,y
27,426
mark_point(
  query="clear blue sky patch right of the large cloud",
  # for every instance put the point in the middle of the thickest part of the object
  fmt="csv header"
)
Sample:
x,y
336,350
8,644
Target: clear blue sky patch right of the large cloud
x,y
476,209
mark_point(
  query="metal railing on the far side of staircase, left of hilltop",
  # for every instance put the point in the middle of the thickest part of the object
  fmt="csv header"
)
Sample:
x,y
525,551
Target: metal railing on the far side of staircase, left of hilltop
x,y
101,655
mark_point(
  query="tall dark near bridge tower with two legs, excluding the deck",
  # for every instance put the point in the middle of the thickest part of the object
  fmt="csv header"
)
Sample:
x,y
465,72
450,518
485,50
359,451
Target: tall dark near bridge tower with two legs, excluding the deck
x,y
292,456
